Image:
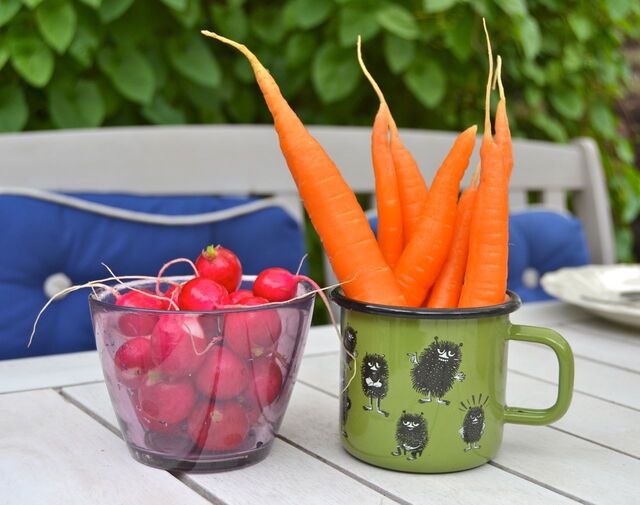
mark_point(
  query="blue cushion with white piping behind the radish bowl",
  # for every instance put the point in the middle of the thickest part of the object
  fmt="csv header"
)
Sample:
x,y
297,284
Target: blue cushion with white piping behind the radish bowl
x,y
40,238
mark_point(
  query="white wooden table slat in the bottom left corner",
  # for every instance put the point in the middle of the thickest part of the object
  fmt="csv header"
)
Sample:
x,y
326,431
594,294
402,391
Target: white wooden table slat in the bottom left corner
x,y
53,453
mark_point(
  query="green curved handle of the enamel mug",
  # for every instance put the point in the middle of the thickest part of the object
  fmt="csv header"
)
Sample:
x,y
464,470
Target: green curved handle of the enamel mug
x,y
563,352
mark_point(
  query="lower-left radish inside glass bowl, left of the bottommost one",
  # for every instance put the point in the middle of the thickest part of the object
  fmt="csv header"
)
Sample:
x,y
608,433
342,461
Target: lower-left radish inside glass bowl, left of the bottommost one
x,y
165,403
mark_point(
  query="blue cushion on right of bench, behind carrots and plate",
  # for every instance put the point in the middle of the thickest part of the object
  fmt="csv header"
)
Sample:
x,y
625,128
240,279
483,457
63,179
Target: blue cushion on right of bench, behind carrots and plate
x,y
540,241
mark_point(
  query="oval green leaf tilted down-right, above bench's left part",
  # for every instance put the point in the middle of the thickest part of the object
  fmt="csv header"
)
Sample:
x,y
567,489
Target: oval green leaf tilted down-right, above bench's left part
x,y
130,73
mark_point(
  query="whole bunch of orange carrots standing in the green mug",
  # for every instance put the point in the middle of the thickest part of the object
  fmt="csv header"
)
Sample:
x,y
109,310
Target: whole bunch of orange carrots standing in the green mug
x,y
434,248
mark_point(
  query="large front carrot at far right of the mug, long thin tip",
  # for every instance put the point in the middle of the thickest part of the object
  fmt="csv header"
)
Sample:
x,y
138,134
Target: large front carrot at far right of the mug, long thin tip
x,y
485,280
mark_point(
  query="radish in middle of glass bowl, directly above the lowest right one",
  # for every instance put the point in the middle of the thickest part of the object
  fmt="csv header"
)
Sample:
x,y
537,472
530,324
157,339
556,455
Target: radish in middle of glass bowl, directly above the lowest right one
x,y
222,375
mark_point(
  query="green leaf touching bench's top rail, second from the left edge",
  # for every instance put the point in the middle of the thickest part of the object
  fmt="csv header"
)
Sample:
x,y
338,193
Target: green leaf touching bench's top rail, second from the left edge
x,y
78,105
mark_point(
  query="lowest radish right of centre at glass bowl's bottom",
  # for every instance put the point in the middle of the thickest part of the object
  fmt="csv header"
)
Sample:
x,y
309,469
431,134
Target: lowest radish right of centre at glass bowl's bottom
x,y
218,426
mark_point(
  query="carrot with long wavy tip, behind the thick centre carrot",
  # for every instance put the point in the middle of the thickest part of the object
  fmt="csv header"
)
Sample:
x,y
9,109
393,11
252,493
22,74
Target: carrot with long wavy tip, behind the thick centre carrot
x,y
412,188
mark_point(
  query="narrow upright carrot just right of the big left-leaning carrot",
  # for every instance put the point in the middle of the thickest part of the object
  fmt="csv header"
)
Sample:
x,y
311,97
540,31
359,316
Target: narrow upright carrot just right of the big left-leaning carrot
x,y
389,211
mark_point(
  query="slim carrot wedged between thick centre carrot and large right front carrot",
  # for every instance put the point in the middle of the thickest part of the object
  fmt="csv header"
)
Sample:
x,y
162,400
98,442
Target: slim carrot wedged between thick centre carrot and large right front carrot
x,y
446,290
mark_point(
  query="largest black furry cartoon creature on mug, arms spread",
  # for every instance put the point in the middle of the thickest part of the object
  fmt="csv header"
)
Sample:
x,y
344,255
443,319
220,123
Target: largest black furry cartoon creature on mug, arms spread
x,y
436,369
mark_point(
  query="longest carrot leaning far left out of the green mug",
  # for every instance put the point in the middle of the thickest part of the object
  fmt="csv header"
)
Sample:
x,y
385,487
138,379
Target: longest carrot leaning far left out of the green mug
x,y
332,206
